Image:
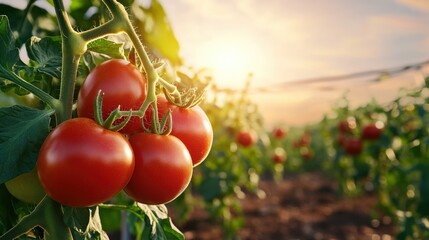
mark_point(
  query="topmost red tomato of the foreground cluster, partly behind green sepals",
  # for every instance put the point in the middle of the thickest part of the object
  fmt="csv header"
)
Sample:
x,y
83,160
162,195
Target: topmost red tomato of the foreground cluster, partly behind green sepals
x,y
122,84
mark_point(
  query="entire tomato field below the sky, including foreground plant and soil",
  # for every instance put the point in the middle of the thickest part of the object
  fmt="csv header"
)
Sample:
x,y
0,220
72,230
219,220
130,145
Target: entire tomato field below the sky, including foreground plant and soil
x,y
106,134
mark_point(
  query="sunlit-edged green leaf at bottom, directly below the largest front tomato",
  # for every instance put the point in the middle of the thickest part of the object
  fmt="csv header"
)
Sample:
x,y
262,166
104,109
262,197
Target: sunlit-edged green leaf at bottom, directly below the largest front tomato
x,y
84,222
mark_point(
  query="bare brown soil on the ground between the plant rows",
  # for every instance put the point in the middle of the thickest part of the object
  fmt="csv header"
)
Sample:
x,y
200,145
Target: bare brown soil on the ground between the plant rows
x,y
304,206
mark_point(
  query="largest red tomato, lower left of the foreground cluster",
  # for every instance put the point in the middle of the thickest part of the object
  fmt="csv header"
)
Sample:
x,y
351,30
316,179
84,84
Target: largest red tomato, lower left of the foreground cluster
x,y
82,164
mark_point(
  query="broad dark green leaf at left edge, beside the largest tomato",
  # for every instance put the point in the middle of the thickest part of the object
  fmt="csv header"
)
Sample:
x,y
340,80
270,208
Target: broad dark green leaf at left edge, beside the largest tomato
x,y
22,131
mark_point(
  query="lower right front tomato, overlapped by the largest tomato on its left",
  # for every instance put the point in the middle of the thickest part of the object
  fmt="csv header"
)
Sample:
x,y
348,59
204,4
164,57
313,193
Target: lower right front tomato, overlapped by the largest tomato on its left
x,y
163,168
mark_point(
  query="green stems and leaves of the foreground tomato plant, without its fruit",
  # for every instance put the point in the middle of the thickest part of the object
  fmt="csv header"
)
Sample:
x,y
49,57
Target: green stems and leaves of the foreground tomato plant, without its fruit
x,y
57,63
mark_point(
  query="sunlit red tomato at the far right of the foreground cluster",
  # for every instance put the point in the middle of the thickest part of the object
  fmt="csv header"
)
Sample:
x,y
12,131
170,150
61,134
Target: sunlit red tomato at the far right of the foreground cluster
x,y
190,125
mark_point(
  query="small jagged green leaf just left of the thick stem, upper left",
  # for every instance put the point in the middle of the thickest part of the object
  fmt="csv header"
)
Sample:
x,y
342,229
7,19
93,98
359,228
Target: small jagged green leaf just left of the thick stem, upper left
x,y
46,53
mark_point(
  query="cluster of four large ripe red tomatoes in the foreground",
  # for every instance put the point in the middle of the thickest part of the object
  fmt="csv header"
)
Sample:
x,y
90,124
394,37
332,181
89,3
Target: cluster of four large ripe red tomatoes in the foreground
x,y
83,164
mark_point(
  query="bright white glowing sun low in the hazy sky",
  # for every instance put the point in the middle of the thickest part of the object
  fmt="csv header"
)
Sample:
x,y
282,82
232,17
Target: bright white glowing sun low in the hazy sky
x,y
229,59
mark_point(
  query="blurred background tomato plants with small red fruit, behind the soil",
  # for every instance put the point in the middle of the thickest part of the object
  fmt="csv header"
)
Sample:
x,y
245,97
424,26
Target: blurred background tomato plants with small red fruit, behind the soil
x,y
374,148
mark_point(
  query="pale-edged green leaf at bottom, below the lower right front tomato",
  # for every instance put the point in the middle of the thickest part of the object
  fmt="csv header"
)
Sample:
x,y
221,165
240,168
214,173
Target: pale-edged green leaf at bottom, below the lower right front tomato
x,y
155,224
